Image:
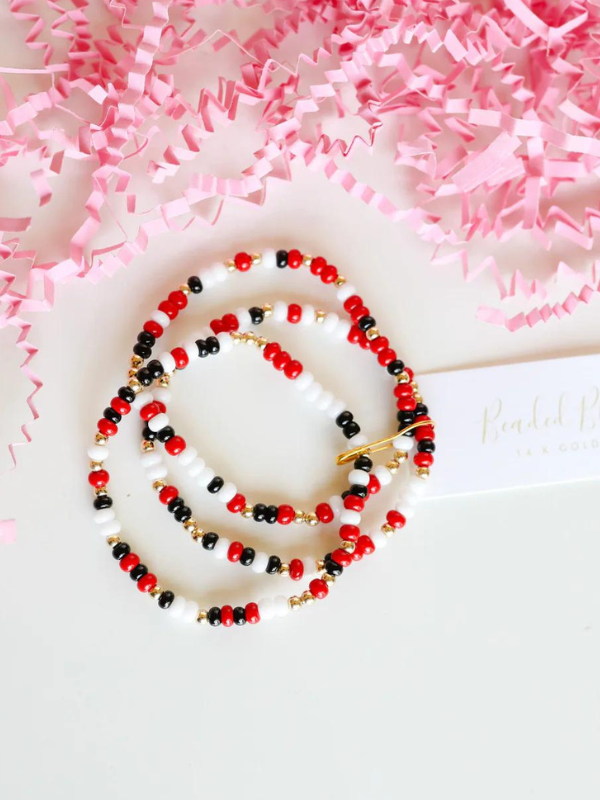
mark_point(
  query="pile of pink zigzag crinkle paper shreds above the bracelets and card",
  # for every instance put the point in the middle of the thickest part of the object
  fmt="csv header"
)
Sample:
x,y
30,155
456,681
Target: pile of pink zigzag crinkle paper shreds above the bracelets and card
x,y
494,109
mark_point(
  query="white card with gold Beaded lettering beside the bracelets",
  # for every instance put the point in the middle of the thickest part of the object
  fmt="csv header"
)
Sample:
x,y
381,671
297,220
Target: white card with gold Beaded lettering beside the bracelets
x,y
516,425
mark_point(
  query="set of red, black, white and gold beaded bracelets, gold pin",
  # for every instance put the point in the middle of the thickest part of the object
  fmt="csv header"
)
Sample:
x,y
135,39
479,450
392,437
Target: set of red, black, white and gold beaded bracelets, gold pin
x,y
361,330
